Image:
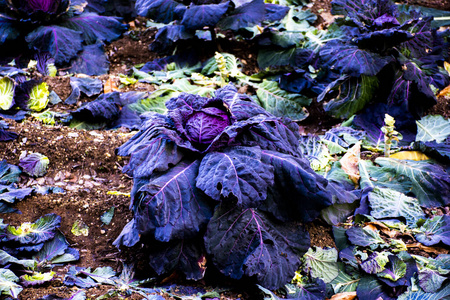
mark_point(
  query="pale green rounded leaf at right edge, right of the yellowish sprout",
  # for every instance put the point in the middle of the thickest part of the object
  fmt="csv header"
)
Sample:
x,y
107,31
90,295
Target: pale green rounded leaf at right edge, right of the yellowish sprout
x,y
432,128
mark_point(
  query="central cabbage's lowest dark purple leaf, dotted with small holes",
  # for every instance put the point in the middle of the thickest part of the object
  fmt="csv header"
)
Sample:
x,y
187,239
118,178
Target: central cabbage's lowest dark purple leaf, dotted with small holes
x,y
246,242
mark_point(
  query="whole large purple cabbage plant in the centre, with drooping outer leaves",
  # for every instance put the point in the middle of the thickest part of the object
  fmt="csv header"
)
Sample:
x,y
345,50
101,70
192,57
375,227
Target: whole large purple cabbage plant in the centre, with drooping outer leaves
x,y
221,181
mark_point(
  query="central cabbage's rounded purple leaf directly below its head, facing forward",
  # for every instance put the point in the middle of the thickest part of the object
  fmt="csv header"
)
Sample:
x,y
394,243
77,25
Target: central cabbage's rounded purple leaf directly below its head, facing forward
x,y
236,173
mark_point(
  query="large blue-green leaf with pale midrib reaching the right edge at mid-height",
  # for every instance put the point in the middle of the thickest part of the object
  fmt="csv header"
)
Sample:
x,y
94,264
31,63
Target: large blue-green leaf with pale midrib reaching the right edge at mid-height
x,y
430,182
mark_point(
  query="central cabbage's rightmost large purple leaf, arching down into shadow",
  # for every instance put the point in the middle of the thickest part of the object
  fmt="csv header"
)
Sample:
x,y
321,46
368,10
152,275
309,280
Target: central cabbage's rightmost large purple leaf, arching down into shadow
x,y
298,193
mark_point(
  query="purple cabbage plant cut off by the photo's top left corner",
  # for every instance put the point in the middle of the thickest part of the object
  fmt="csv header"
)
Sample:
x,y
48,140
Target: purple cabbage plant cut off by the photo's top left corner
x,y
58,27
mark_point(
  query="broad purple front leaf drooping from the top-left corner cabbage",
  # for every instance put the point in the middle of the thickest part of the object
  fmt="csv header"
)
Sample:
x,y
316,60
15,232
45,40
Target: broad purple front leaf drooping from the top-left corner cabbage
x,y
62,43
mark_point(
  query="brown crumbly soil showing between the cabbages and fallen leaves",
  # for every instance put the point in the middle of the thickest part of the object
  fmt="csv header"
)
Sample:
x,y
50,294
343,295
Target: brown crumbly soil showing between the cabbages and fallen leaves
x,y
84,164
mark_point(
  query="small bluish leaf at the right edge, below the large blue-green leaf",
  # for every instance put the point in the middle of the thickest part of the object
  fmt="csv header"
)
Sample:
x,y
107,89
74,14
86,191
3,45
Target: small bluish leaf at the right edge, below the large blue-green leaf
x,y
434,231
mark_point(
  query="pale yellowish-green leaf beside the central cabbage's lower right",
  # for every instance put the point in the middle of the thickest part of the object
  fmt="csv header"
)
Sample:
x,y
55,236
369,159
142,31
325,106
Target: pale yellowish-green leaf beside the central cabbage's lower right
x,y
322,263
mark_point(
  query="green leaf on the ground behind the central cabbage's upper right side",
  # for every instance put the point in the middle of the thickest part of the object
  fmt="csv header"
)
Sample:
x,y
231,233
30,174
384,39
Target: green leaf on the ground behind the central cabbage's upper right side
x,y
282,103
